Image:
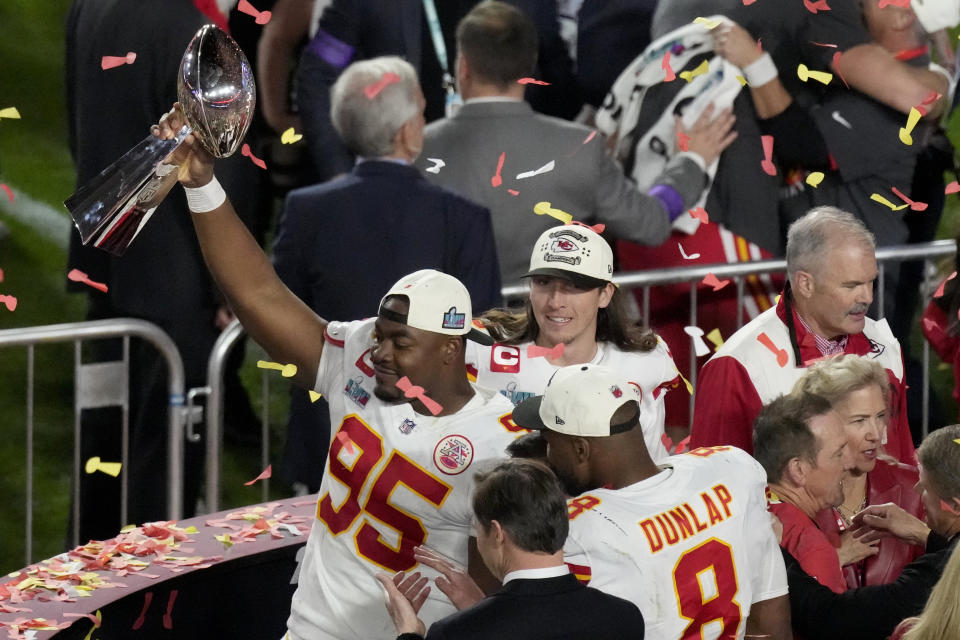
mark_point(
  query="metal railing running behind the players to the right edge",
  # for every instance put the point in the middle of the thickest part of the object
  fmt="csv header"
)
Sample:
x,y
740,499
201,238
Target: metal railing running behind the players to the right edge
x,y
645,280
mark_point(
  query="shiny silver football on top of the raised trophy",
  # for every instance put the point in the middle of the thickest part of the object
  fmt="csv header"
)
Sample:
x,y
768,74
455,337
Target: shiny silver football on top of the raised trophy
x,y
216,88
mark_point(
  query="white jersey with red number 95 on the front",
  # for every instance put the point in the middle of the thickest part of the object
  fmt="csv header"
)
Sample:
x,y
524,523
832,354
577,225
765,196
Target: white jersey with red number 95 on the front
x,y
394,479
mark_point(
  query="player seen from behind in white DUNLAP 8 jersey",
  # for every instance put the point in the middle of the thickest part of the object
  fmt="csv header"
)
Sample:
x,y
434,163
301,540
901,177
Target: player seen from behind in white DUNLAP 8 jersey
x,y
689,542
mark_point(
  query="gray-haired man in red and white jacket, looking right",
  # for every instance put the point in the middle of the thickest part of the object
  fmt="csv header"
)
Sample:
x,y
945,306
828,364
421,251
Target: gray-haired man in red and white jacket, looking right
x,y
831,269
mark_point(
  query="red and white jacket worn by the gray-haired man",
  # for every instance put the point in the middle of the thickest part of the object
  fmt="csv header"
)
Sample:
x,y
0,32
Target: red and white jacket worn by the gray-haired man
x,y
744,374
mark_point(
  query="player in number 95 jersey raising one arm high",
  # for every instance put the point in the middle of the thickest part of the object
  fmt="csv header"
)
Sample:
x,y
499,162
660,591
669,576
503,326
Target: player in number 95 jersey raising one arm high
x,y
411,430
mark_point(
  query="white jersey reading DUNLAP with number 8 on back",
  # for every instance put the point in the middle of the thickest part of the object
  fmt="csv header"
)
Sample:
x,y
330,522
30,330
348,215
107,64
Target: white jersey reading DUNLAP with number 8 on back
x,y
692,546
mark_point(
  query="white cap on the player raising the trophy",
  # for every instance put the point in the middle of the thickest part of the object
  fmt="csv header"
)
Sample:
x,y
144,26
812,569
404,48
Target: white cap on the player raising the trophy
x,y
438,302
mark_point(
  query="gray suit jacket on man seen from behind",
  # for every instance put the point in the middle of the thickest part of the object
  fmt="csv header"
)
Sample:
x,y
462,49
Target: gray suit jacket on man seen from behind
x,y
585,181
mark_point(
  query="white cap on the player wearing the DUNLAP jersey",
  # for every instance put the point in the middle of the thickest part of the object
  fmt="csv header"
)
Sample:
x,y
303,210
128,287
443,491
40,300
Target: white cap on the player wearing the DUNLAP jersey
x,y
580,400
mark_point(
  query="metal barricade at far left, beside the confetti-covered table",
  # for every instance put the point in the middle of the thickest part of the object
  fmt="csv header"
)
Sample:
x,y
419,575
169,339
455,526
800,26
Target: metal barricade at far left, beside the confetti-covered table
x,y
103,384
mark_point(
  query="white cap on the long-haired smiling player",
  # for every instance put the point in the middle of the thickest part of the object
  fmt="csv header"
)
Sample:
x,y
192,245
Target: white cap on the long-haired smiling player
x,y
574,252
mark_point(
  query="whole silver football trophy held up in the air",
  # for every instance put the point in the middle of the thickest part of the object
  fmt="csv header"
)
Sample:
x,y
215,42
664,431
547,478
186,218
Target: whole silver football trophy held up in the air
x,y
216,88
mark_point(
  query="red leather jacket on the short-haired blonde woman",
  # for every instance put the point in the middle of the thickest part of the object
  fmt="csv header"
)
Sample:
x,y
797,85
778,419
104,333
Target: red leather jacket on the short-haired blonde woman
x,y
888,482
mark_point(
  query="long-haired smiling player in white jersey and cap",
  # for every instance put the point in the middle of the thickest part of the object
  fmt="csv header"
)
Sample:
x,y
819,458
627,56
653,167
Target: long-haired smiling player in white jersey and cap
x,y
574,306
